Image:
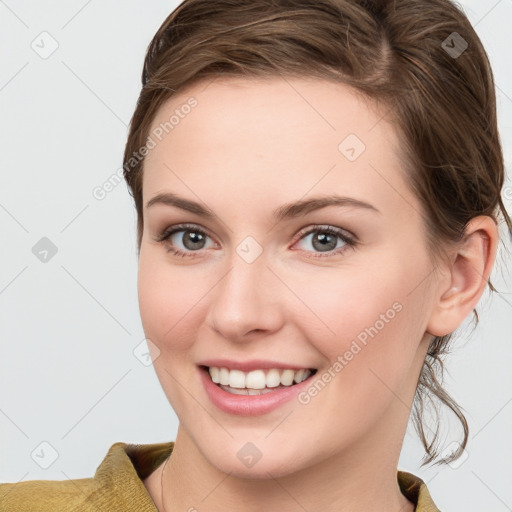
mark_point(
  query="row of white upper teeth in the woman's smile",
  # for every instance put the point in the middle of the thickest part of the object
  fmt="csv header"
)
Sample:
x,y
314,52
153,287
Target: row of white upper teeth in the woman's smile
x,y
257,379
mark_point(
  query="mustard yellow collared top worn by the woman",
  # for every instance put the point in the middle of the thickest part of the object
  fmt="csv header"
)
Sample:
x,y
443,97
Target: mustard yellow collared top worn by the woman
x,y
117,486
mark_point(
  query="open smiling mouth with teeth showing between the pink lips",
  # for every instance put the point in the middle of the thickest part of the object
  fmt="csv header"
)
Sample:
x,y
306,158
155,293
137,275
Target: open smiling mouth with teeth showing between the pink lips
x,y
256,382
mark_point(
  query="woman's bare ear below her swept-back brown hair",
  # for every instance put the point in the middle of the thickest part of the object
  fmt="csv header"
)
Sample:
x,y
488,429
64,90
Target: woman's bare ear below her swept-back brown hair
x,y
465,277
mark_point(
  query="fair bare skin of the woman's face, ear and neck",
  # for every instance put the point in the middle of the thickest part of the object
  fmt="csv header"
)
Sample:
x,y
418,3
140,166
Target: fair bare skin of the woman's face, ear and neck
x,y
248,147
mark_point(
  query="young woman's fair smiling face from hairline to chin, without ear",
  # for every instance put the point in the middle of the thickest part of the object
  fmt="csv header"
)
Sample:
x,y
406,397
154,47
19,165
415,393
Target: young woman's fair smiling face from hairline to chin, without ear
x,y
258,280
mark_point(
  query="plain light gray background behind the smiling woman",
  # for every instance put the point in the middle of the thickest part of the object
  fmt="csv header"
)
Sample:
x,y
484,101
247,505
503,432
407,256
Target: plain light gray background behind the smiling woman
x,y
69,327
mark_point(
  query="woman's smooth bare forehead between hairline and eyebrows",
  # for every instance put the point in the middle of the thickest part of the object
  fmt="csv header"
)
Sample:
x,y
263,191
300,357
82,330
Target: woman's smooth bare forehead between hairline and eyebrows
x,y
280,136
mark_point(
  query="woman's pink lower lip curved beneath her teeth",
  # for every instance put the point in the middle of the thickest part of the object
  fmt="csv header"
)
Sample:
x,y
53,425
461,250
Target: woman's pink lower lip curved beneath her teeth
x,y
249,405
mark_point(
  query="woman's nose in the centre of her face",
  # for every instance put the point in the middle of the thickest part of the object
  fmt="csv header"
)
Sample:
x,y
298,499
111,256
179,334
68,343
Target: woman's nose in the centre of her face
x,y
247,300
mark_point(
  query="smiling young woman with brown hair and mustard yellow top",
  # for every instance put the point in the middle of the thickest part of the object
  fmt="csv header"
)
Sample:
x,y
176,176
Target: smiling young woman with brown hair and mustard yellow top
x,y
317,186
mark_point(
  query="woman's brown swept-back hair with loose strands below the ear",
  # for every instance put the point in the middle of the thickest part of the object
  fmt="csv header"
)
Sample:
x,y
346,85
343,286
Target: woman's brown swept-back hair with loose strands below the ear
x,y
409,55
